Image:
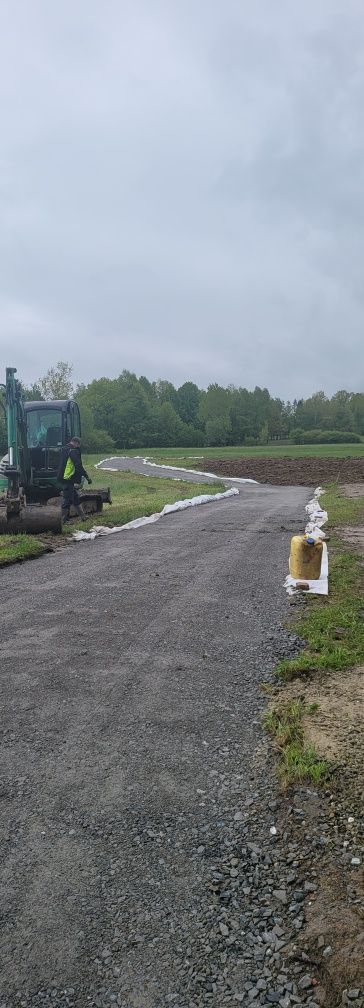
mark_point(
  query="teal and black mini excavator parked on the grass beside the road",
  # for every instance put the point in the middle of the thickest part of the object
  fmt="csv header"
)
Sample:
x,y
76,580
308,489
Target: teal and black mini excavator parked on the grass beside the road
x,y
38,434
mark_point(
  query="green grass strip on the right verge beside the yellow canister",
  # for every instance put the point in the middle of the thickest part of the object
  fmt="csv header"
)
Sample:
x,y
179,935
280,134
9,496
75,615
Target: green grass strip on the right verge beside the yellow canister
x,y
333,626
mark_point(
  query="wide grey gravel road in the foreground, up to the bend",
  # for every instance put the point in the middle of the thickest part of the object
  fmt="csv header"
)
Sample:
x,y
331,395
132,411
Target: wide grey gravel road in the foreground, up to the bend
x,y
139,804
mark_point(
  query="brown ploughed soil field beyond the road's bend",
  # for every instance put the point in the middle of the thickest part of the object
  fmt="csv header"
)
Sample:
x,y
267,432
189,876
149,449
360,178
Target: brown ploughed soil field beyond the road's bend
x,y
305,472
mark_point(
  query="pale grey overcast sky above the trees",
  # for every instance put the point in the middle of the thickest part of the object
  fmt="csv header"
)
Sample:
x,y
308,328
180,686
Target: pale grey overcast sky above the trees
x,y
182,190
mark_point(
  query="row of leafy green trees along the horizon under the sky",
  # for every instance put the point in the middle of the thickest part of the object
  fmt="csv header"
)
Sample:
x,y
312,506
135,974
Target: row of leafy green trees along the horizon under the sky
x,y
133,413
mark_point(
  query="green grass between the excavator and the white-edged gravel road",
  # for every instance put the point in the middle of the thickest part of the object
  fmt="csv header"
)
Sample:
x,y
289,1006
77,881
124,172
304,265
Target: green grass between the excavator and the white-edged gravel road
x,y
136,496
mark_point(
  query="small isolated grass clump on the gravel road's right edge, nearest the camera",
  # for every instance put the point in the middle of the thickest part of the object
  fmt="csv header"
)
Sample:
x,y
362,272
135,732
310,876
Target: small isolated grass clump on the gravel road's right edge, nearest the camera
x,y
298,762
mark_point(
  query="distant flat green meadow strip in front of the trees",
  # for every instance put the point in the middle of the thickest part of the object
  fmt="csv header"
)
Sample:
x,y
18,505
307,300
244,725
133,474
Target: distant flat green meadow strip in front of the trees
x,y
184,456
